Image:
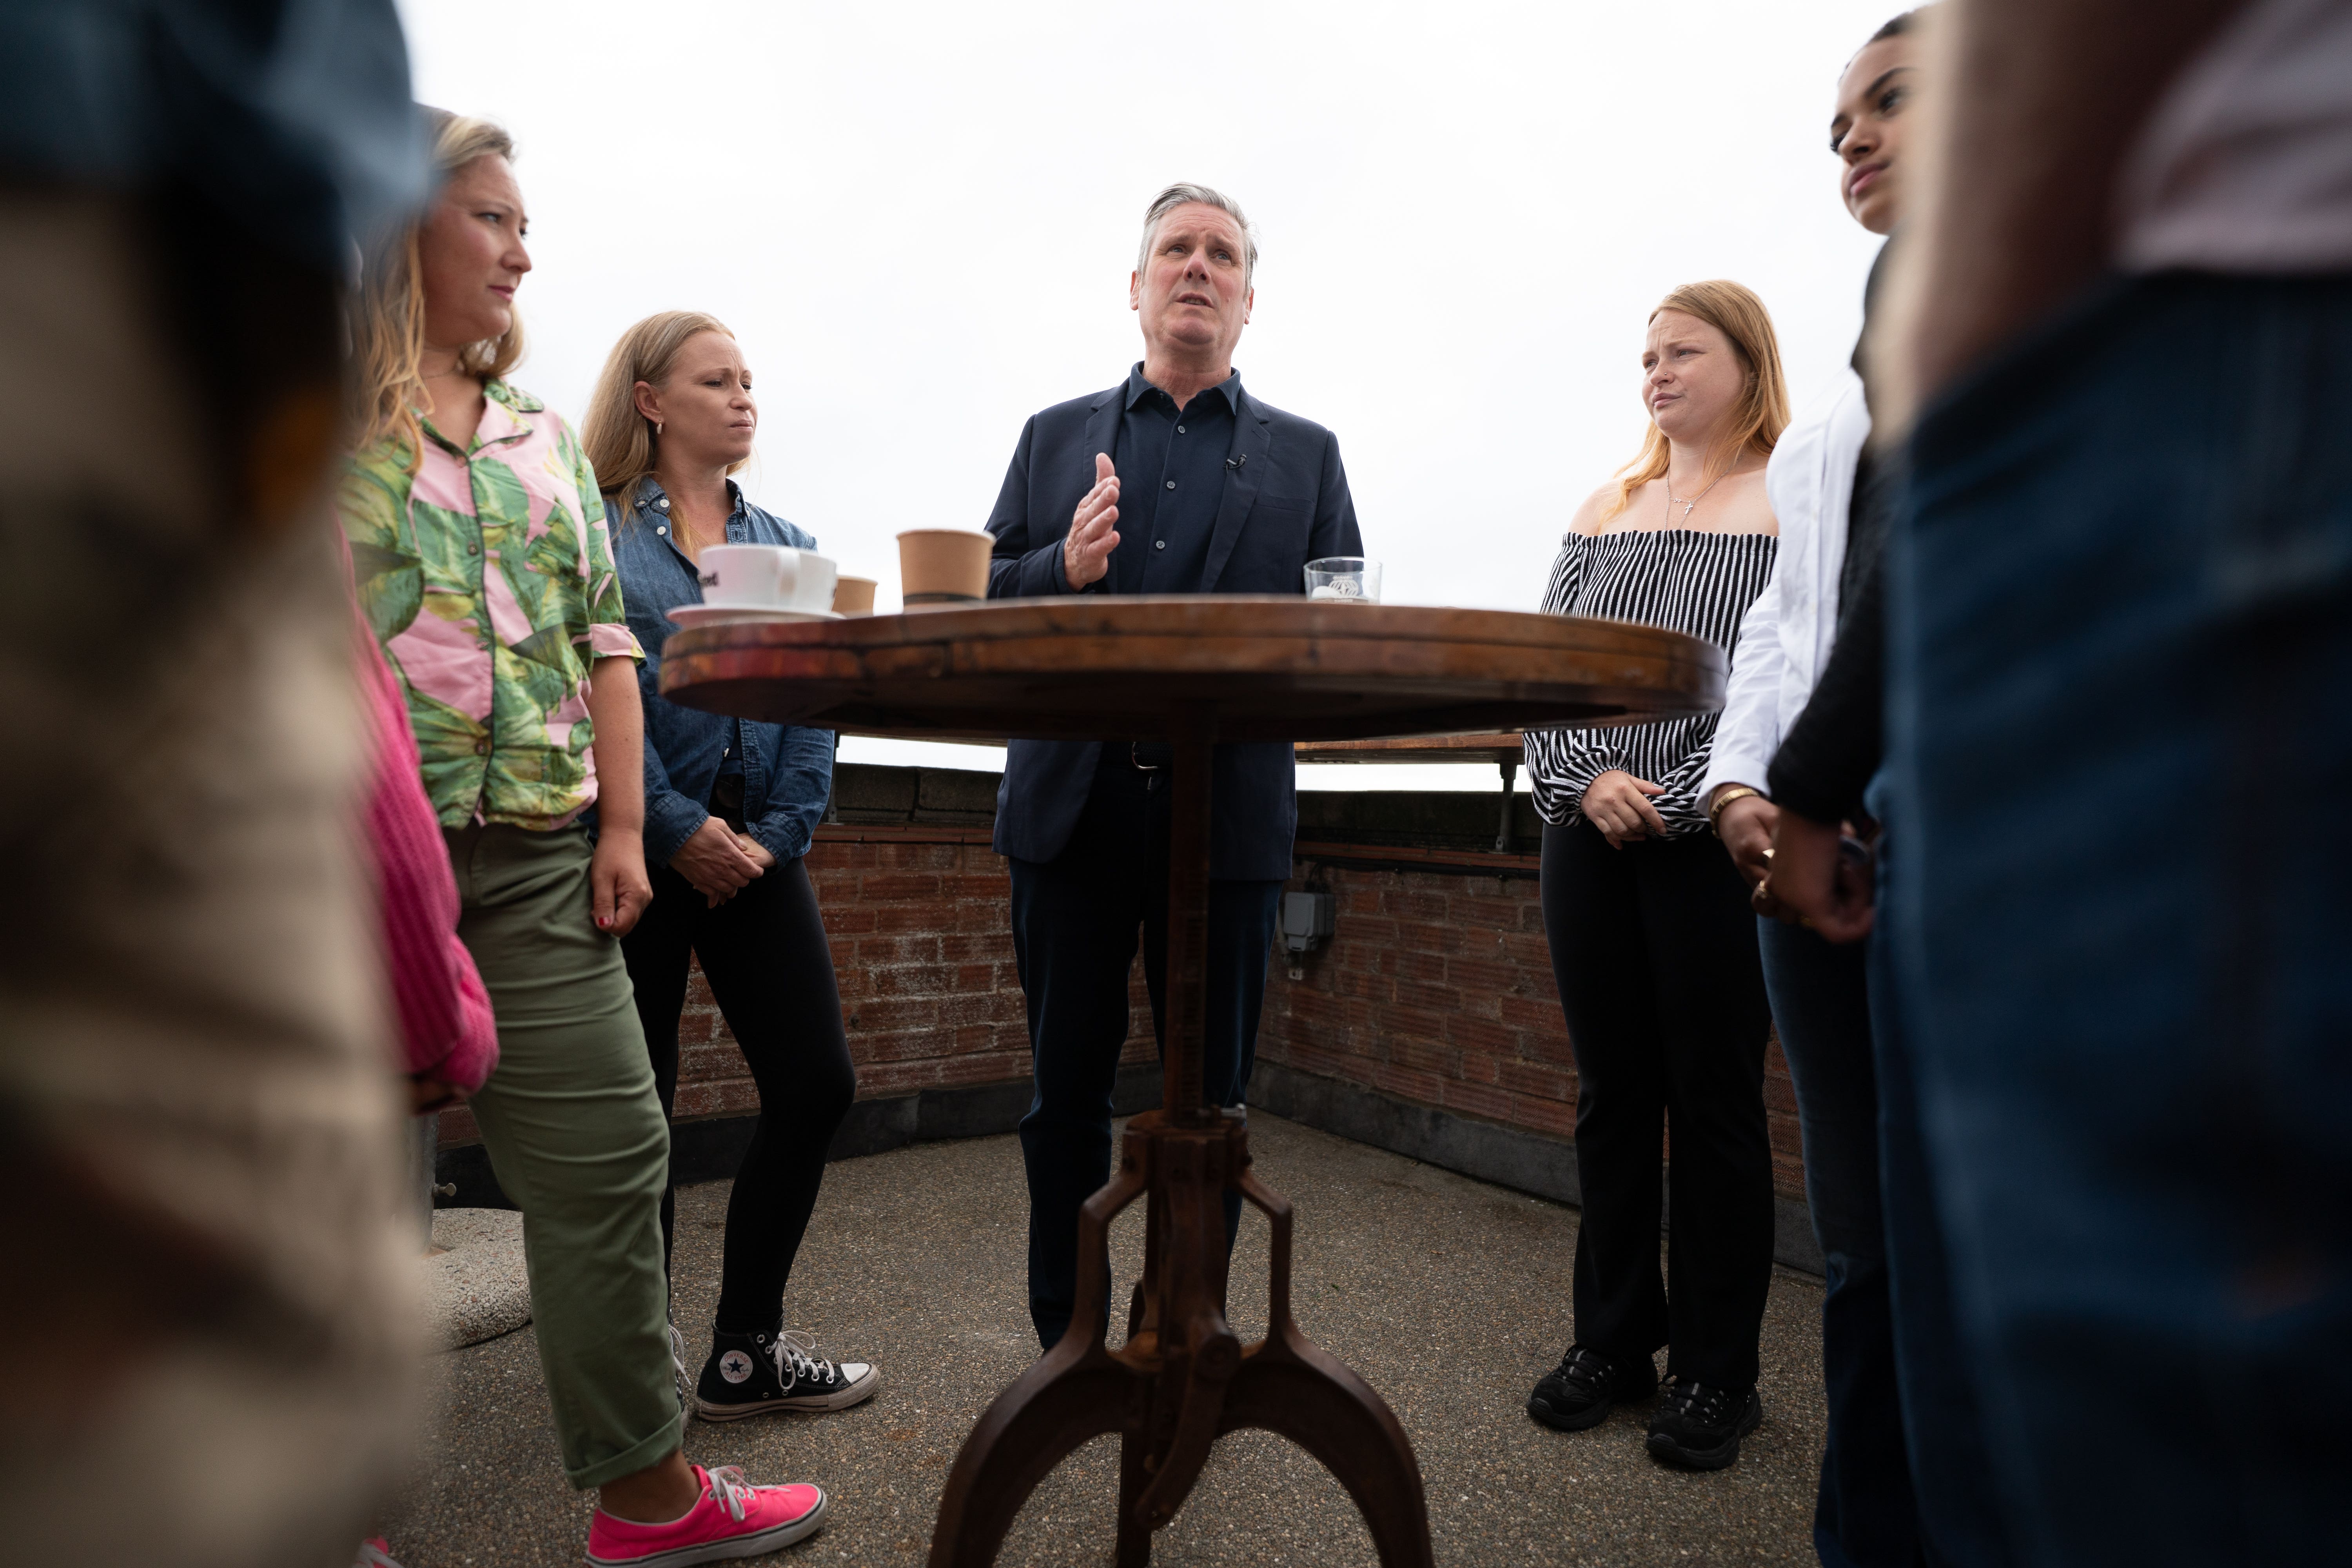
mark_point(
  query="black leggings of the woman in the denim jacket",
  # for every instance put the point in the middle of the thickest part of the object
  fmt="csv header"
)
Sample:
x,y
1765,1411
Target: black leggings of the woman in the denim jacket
x,y
773,974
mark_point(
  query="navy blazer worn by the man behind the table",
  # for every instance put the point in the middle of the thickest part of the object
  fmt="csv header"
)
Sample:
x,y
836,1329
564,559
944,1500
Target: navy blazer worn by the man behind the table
x,y
1283,507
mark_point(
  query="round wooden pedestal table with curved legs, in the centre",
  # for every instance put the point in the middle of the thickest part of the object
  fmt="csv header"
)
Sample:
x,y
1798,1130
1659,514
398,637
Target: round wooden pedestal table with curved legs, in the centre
x,y
1191,671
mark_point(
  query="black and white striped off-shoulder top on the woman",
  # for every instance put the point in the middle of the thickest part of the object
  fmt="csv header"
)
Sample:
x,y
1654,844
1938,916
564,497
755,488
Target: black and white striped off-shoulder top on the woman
x,y
1685,582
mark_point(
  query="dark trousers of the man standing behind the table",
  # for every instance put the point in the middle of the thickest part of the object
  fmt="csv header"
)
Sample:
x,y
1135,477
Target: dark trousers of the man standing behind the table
x,y
1076,923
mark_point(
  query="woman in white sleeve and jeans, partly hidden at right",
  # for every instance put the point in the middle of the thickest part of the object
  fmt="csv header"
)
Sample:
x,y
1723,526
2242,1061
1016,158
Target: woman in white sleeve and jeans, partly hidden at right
x,y
1831,497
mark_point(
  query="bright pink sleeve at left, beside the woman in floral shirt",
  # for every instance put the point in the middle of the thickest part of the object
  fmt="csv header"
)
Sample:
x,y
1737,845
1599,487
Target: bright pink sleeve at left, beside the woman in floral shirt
x,y
446,1024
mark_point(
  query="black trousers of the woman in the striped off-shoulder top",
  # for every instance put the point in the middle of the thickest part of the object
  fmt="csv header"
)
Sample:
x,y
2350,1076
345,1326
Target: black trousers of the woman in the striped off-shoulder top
x,y
1655,949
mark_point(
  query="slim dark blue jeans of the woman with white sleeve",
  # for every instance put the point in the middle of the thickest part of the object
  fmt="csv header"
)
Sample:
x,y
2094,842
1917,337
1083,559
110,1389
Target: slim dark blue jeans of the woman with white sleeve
x,y
1866,1513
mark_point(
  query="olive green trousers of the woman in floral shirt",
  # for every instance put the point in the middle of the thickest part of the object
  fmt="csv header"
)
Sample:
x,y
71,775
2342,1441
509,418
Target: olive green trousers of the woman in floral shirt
x,y
577,1141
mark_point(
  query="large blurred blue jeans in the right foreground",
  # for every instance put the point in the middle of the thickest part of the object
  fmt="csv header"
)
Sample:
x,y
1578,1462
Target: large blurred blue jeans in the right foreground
x,y
2120,652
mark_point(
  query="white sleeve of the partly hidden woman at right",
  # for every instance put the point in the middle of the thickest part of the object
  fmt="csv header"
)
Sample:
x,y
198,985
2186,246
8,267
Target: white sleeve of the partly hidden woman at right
x,y
1791,626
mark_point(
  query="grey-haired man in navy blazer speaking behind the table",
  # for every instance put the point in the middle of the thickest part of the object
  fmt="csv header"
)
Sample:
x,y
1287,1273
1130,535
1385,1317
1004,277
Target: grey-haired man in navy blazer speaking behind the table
x,y
1222,495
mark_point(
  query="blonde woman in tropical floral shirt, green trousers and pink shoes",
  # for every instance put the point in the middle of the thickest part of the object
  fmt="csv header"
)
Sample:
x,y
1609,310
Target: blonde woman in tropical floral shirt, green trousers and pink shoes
x,y
486,570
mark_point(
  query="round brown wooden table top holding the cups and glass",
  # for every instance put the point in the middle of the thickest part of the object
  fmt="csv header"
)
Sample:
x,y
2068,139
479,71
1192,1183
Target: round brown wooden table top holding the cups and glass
x,y
1121,666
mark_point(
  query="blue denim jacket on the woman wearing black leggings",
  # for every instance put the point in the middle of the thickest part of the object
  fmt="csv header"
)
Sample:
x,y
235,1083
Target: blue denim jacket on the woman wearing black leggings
x,y
787,768
